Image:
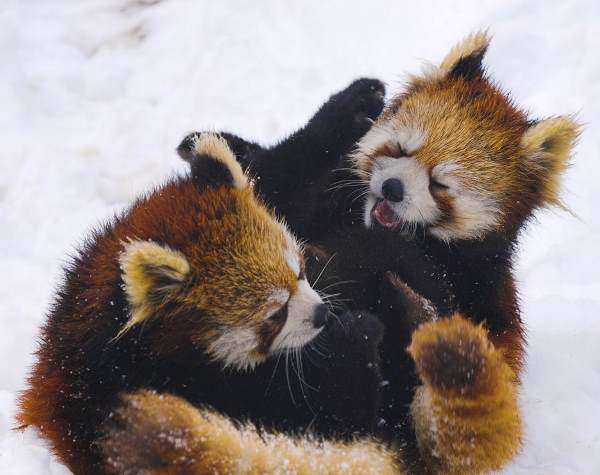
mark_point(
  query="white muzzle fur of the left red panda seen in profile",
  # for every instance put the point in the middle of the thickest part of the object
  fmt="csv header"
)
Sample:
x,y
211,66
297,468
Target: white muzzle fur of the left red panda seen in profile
x,y
299,329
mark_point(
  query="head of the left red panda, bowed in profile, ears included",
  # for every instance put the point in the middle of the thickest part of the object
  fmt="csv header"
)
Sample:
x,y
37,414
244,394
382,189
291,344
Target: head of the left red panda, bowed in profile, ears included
x,y
210,267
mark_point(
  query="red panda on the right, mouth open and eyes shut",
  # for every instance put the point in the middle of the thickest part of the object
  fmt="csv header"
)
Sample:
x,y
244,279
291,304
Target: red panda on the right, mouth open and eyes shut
x,y
451,166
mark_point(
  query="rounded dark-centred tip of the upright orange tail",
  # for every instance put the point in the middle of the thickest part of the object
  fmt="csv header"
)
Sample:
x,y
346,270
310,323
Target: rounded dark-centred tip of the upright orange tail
x,y
454,355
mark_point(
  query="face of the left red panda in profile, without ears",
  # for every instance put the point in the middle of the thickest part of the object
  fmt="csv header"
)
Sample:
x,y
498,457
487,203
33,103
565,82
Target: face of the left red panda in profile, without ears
x,y
275,309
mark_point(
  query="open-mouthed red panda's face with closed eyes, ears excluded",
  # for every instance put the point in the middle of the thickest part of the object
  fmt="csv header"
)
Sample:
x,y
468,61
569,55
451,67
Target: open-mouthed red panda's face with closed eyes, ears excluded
x,y
434,163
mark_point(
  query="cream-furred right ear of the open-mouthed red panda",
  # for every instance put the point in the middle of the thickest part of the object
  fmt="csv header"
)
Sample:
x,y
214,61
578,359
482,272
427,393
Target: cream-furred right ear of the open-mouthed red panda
x,y
547,146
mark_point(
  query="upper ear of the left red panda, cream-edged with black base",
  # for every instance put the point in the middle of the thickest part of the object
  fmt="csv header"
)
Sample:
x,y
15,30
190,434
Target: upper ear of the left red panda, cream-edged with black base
x,y
213,163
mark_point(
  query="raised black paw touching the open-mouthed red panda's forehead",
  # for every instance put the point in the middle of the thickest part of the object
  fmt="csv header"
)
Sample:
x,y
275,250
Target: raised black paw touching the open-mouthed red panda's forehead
x,y
349,114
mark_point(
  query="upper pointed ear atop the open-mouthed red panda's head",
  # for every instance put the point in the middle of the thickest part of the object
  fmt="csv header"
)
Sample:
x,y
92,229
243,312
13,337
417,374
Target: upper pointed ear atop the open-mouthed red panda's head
x,y
464,60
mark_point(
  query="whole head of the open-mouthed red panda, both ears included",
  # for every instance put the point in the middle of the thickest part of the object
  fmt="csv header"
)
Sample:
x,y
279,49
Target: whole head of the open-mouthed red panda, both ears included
x,y
454,155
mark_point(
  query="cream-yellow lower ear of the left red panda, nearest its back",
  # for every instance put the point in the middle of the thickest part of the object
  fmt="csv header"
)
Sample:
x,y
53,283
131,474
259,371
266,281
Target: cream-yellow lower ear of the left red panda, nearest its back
x,y
152,273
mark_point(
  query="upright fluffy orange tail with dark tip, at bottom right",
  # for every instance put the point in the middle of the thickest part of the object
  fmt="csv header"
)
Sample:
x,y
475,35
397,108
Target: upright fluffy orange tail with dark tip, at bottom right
x,y
465,414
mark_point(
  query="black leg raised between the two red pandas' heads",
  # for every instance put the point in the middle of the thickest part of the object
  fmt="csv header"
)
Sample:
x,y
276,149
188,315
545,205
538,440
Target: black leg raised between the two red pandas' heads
x,y
293,175
